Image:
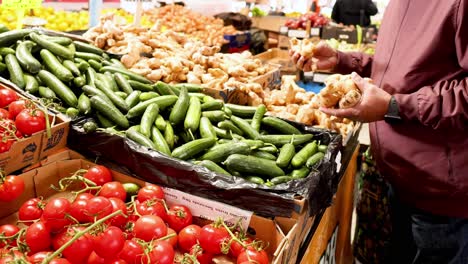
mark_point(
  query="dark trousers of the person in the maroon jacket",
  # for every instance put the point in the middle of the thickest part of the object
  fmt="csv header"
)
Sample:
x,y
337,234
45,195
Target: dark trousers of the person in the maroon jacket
x,y
421,237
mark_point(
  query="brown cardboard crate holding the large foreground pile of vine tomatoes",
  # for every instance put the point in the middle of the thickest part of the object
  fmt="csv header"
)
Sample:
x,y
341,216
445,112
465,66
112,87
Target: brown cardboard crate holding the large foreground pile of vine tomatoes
x,y
279,233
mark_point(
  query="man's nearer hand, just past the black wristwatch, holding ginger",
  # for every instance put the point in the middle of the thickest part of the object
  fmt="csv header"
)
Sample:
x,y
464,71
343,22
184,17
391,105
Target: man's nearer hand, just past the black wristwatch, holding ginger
x,y
372,107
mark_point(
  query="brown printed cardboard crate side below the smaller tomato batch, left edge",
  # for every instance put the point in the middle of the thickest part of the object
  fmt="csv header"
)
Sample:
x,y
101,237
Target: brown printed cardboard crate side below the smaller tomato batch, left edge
x,y
31,149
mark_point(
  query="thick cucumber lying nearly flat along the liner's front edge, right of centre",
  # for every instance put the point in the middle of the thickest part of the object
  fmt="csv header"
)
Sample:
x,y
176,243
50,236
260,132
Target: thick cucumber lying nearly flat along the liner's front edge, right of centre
x,y
253,165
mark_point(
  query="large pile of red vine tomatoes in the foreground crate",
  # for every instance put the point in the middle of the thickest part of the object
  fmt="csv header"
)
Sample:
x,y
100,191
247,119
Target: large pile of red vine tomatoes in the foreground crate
x,y
101,225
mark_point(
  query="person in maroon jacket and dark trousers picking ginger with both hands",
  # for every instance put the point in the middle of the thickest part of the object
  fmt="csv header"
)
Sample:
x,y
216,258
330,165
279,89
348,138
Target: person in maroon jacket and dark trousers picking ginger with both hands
x,y
417,108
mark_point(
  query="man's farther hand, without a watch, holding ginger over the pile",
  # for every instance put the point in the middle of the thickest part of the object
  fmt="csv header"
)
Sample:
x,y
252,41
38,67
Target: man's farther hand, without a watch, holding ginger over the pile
x,y
325,58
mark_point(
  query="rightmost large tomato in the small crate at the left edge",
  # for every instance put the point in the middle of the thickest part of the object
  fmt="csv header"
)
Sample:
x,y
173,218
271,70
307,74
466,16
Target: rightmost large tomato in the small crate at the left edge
x,y
30,121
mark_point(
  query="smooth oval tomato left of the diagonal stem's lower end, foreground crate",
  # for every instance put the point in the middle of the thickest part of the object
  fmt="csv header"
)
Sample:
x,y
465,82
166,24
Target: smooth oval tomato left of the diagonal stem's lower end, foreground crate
x,y
38,237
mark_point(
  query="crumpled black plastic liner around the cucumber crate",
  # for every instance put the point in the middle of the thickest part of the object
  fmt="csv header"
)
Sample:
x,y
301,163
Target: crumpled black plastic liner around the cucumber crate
x,y
152,166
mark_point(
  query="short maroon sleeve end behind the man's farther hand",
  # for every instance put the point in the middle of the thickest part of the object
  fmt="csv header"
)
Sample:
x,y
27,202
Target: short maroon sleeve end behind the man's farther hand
x,y
358,62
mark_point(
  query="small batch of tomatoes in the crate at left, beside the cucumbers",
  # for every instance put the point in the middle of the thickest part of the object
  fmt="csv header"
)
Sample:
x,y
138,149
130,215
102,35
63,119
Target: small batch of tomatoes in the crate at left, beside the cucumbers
x,y
18,118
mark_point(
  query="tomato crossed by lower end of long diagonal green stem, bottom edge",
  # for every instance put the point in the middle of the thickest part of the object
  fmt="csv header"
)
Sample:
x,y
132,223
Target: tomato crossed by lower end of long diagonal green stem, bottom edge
x,y
79,250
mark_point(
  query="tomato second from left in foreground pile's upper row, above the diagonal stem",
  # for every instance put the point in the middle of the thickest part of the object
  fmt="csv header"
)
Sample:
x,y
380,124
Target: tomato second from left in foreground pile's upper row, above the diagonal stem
x,y
55,214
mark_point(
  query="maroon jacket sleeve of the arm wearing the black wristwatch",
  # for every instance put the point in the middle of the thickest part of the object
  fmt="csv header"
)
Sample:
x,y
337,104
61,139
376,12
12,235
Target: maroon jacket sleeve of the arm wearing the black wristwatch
x,y
443,105
